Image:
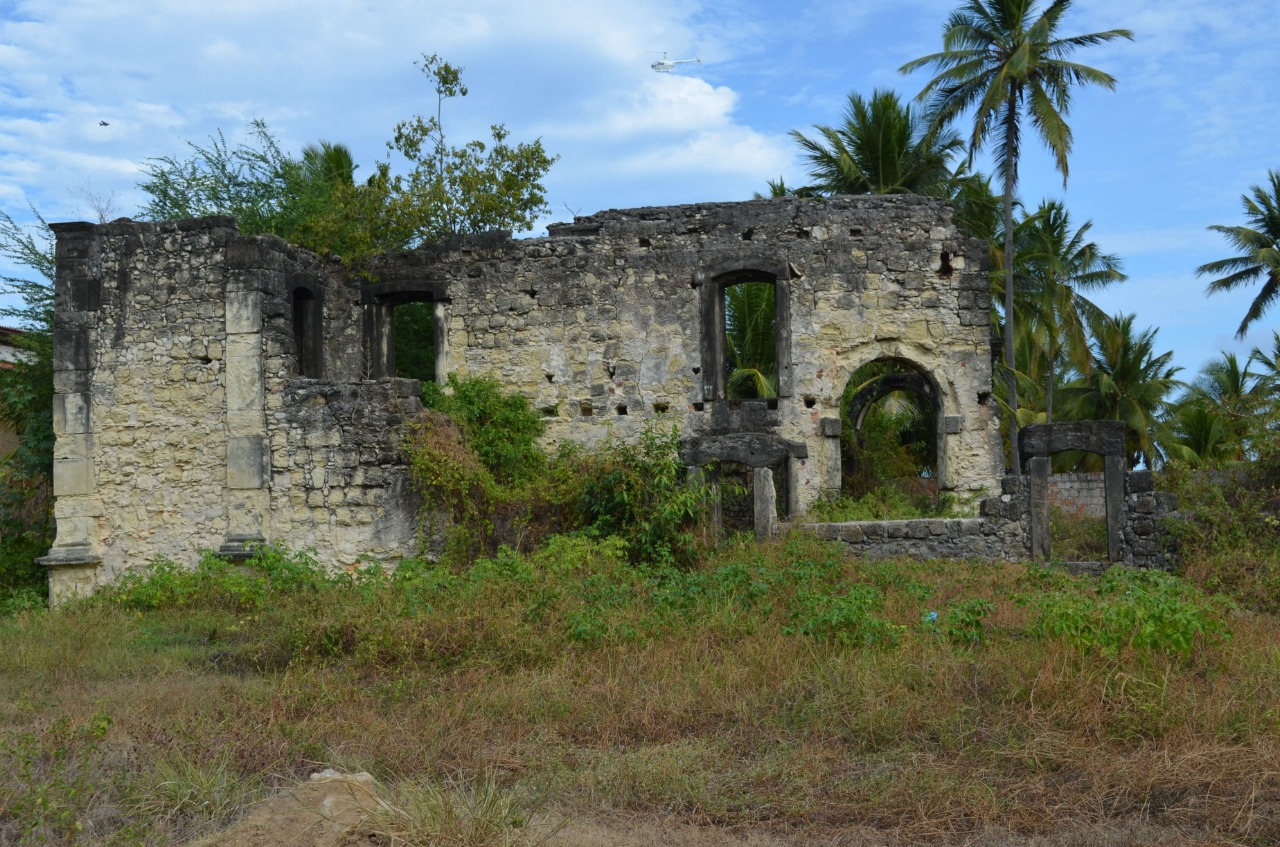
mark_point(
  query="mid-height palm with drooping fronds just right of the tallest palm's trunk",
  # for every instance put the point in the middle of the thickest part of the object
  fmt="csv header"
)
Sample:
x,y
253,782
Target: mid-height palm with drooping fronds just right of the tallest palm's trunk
x,y
1058,263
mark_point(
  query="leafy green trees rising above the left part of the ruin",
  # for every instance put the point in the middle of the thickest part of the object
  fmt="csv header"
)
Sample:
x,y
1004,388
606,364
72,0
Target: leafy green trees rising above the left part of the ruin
x,y
316,202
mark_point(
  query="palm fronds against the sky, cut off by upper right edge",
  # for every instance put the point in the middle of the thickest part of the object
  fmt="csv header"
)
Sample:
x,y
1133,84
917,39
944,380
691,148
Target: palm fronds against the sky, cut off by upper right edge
x,y
1260,251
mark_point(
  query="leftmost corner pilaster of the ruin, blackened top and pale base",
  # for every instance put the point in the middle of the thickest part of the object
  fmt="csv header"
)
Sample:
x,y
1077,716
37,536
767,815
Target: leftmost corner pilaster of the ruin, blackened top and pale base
x,y
75,560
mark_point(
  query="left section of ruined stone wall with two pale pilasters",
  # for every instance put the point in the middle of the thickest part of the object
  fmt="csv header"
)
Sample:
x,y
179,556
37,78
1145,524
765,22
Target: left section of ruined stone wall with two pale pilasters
x,y
181,422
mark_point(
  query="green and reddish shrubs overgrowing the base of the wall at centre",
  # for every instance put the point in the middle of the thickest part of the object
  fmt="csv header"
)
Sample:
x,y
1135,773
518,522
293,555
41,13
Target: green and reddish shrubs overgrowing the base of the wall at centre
x,y
487,484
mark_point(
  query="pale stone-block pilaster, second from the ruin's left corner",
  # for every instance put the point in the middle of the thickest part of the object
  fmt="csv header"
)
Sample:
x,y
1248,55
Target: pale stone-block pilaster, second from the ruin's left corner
x,y
248,445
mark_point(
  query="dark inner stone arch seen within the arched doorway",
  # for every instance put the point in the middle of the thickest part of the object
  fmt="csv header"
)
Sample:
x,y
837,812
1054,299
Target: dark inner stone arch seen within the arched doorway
x,y
898,376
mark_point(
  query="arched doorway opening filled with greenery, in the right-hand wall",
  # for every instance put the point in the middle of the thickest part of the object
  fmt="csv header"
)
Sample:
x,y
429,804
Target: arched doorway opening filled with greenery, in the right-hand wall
x,y
890,441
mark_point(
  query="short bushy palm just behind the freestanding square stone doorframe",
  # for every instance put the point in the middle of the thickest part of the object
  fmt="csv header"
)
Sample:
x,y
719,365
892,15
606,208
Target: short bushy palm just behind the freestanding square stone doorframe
x,y
1127,382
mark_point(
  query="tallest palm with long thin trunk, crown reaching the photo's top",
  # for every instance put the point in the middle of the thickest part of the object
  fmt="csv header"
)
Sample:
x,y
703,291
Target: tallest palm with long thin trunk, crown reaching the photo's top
x,y
1007,63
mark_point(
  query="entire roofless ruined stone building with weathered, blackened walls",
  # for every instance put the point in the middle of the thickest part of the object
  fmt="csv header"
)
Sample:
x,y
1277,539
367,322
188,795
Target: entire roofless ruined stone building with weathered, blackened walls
x,y
216,390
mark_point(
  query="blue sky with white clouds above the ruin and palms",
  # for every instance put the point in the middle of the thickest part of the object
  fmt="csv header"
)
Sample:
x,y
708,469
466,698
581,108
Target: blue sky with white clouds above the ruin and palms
x,y
1192,125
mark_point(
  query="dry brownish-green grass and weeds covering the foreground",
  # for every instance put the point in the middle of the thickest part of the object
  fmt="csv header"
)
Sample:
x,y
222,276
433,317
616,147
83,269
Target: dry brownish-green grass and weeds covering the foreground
x,y
783,688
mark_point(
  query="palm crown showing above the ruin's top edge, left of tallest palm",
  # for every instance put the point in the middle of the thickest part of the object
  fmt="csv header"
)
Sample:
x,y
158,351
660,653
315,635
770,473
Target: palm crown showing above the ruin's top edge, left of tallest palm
x,y
881,148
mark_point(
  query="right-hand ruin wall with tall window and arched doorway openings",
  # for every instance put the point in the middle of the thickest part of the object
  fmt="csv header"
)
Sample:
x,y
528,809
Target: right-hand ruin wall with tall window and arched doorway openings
x,y
607,321
